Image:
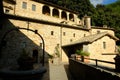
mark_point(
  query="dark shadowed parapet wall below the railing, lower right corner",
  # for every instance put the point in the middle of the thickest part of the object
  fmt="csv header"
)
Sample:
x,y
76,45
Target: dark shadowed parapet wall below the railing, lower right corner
x,y
82,71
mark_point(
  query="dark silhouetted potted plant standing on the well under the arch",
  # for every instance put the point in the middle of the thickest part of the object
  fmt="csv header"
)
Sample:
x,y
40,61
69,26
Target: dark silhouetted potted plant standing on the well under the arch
x,y
25,61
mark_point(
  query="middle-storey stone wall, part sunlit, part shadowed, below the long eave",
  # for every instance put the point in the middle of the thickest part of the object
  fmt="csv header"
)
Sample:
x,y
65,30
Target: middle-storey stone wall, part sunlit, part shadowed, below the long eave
x,y
32,41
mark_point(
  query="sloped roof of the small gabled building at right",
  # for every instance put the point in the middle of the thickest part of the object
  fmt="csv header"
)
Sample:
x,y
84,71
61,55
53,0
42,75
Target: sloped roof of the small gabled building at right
x,y
92,38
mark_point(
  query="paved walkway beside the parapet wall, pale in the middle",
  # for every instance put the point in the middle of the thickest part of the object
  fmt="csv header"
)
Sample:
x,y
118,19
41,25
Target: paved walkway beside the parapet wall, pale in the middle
x,y
57,71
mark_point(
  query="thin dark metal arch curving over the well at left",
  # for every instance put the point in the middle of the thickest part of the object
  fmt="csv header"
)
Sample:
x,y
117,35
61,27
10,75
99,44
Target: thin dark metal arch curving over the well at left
x,y
17,29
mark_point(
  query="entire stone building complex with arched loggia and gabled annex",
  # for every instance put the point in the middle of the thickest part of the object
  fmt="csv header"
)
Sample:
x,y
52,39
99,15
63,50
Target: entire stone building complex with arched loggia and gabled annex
x,y
57,25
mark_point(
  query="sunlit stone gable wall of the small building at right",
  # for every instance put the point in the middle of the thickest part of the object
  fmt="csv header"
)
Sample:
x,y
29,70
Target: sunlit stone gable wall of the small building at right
x,y
97,50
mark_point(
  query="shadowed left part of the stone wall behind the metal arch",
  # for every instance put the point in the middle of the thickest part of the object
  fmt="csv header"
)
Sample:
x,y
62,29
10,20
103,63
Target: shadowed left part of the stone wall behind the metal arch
x,y
15,41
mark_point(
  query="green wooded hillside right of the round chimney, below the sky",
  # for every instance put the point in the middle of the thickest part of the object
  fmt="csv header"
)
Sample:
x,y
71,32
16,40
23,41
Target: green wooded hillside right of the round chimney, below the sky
x,y
108,15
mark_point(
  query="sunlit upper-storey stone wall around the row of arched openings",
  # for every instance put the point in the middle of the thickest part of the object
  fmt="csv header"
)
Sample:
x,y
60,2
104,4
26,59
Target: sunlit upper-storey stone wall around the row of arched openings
x,y
37,14
